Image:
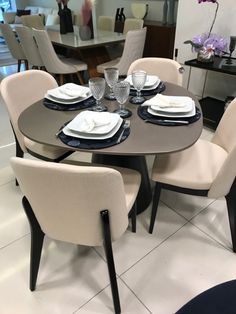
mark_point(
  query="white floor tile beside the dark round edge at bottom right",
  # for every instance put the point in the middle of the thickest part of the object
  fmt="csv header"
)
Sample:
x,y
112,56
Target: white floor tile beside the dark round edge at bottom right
x,y
186,264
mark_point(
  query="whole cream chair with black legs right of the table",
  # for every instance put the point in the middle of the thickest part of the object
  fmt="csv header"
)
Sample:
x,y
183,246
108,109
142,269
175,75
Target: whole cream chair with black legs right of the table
x,y
206,169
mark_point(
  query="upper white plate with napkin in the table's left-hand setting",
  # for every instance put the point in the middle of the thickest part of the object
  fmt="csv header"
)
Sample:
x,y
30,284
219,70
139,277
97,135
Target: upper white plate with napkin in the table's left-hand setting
x,y
69,91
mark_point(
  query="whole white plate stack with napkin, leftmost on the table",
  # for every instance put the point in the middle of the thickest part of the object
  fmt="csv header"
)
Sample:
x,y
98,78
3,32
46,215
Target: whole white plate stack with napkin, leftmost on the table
x,y
68,94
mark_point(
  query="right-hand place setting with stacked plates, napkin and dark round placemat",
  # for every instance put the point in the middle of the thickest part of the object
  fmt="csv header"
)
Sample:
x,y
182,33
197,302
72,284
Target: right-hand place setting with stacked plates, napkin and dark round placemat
x,y
169,110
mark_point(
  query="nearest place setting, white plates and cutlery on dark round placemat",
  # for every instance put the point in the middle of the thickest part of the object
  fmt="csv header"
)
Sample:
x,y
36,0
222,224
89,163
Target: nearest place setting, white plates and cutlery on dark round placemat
x,y
94,130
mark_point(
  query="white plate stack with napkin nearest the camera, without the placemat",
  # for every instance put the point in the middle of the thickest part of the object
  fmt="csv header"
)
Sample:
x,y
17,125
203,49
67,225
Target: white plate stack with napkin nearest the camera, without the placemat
x,y
93,125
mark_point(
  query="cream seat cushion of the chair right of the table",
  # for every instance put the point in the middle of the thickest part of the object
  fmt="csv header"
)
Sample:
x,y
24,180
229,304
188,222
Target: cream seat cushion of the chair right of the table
x,y
193,168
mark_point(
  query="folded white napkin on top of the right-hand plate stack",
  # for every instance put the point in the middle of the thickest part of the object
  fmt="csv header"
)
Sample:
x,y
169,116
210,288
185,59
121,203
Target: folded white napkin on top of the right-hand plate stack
x,y
162,101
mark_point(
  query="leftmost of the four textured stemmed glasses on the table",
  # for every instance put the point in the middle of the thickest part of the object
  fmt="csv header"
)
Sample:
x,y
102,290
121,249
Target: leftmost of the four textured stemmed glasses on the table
x,y
97,87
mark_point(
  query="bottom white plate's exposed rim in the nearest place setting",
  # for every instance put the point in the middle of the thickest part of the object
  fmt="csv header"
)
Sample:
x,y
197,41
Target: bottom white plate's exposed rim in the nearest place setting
x,y
69,132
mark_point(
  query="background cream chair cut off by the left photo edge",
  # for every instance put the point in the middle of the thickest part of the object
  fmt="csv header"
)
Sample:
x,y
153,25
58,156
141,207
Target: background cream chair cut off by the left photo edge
x,y
13,45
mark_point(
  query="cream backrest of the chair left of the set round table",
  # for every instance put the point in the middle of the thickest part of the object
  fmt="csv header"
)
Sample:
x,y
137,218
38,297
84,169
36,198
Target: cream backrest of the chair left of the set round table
x,y
21,90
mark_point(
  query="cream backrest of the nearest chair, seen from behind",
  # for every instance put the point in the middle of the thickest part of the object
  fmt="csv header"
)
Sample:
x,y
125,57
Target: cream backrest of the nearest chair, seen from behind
x,y
67,199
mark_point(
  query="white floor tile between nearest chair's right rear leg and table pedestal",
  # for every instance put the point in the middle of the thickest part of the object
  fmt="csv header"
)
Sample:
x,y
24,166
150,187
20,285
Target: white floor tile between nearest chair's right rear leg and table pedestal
x,y
132,247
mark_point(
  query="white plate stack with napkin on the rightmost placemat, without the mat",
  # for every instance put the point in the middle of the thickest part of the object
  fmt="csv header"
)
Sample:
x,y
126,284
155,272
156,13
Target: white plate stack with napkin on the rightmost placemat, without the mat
x,y
171,106
